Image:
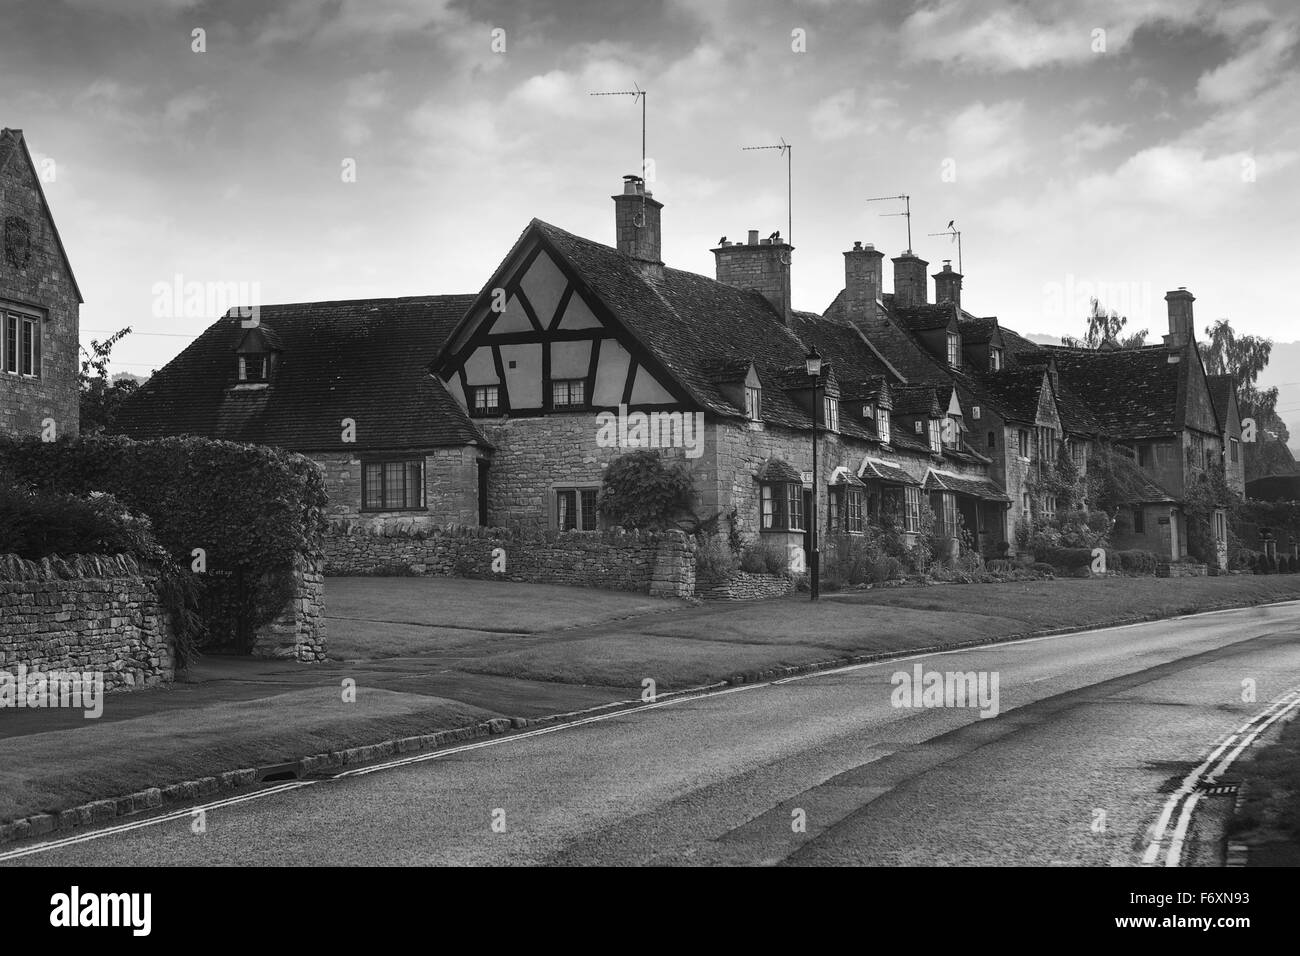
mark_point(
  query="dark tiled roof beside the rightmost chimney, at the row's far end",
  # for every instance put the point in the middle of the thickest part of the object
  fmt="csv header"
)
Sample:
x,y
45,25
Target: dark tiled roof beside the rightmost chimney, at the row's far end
x,y
1132,393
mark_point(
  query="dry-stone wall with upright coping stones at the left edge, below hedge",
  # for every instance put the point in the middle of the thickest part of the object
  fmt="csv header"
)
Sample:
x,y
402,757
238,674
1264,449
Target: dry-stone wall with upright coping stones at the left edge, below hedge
x,y
85,615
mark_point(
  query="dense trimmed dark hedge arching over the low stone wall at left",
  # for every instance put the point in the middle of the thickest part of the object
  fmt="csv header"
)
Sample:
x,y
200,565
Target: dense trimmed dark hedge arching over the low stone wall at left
x,y
252,511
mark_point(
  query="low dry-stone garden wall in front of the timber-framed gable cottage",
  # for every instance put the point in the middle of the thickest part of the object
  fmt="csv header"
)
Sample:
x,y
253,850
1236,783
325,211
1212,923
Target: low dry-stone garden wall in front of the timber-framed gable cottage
x,y
662,565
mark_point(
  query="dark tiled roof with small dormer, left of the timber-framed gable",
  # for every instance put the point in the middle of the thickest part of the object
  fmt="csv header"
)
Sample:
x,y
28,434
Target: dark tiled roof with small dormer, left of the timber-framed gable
x,y
362,360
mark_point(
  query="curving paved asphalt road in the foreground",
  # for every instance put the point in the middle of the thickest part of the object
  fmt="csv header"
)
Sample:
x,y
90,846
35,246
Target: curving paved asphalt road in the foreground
x,y
1107,723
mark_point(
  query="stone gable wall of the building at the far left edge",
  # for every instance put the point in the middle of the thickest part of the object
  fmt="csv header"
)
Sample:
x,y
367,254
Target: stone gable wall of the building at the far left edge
x,y
36,280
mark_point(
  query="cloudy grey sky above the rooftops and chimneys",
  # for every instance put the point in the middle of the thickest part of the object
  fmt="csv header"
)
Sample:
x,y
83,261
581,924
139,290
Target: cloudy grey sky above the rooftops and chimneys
x,y
1116,146
